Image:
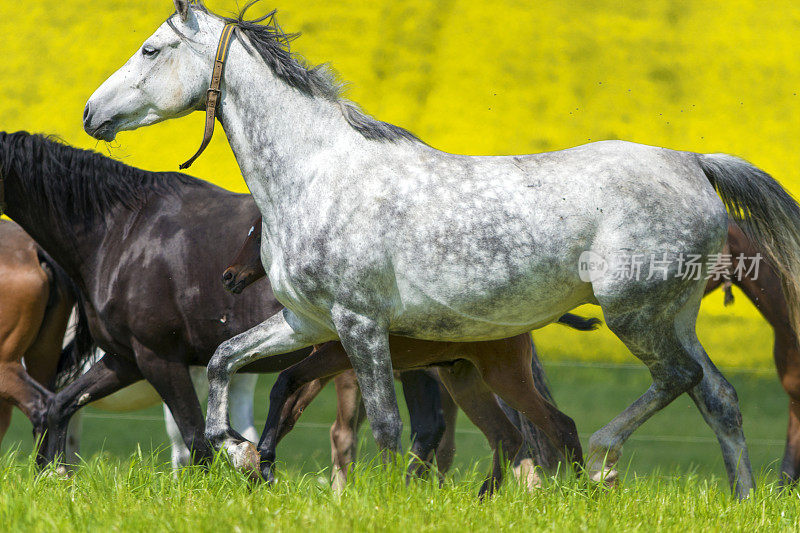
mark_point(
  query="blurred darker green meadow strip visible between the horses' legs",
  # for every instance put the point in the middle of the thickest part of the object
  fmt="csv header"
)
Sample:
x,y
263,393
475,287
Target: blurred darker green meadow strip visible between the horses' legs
x,y
676,439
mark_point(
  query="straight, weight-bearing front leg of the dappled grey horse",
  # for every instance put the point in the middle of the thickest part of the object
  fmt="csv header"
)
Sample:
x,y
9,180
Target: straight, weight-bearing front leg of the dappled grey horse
x,y
366,342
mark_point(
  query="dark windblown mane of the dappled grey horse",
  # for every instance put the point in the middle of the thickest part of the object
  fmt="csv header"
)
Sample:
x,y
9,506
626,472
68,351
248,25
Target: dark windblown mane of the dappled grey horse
x,y
272,45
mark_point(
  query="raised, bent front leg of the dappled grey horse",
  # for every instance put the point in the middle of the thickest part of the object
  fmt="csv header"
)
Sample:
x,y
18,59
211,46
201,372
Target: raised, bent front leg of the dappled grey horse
x,y
281,333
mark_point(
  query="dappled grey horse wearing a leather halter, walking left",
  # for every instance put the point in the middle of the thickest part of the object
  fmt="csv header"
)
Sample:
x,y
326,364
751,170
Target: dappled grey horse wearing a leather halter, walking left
x,y
400,238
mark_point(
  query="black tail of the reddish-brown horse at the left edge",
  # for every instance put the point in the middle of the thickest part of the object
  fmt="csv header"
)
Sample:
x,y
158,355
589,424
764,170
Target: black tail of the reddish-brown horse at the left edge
x,y
81,347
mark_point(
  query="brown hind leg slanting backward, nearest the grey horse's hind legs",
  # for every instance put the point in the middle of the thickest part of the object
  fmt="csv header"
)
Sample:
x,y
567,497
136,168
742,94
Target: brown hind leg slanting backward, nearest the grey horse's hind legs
x,y
505,366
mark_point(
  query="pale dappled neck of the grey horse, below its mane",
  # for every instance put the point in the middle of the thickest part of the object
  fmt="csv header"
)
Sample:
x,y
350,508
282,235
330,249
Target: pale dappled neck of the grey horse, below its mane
x,y
281,137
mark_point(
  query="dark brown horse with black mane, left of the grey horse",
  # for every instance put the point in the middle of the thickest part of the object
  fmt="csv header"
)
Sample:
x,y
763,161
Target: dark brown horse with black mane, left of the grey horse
x,y
144,251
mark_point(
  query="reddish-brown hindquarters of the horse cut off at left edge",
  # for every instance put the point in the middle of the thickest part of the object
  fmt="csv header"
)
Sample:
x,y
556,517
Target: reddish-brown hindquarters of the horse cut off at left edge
x,y
35,303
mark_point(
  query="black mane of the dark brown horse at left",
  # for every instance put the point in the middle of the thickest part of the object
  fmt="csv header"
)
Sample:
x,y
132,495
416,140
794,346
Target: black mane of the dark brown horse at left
x,y
72,184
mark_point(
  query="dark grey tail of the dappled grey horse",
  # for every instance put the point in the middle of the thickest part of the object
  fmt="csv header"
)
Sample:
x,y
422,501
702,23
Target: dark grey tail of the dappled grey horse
x,y
768,215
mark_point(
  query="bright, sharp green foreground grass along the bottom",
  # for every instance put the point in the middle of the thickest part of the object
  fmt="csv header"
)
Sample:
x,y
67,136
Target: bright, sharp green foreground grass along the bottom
x,y
139,494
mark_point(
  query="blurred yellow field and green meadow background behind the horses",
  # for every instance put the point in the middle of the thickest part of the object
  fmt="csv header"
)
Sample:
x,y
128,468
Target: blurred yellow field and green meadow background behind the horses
x,y
502,77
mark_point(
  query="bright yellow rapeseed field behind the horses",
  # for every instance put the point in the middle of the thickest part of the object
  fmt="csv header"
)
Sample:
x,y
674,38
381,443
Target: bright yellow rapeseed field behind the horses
x,y
471,77
